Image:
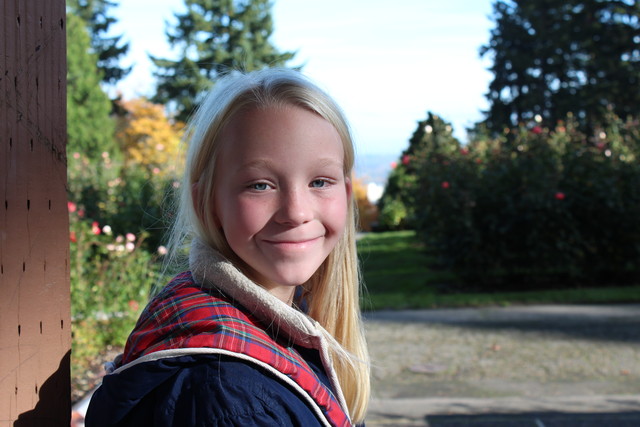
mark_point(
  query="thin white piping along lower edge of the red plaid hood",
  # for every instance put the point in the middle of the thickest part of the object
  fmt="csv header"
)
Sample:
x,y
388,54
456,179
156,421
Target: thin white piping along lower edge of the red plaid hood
x,y
178,352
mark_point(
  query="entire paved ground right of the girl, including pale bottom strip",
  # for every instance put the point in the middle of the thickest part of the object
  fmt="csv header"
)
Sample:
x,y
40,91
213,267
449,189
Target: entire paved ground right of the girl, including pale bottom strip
x,y
585,368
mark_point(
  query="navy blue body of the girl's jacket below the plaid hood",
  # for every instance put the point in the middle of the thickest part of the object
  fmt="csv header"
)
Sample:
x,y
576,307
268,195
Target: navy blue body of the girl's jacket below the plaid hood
x,y
203,390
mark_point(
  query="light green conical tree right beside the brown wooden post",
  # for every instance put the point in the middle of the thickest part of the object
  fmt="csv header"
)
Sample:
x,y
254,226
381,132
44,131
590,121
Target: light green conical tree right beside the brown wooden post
x,y
90,129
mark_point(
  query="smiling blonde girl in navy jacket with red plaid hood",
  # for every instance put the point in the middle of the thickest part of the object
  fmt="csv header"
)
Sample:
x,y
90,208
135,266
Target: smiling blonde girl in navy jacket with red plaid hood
x,y
264,327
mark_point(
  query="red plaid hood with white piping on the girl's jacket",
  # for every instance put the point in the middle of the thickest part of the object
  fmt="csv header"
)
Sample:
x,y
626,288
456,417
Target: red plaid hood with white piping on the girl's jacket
x,y
187,319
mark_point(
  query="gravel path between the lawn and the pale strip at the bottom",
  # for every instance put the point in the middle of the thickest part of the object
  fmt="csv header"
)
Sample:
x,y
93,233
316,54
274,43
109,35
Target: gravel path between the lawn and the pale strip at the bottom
x,y
526,353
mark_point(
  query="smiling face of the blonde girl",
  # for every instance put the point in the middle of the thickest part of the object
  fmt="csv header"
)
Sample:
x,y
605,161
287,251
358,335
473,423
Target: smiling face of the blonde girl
x,y
281,196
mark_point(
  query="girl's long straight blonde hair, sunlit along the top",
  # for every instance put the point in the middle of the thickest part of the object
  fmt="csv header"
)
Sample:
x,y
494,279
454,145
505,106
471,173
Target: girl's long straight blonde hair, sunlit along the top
x,y
332,293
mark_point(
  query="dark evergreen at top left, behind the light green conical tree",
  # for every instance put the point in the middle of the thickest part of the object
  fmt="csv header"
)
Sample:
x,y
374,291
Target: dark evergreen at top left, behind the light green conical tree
x,y
108,50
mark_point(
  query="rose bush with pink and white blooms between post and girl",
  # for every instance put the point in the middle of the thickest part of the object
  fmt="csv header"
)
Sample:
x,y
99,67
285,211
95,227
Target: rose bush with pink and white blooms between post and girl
x,y
115,251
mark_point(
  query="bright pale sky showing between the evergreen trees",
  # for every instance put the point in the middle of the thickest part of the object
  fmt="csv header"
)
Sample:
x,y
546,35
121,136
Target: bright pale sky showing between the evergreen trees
x,y
387,63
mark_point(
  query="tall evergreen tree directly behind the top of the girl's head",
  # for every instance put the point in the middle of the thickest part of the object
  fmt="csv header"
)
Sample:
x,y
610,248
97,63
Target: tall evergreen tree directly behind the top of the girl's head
x,y
214,37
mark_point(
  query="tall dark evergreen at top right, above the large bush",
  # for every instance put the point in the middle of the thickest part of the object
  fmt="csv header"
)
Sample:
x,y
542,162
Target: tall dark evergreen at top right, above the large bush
x,y
553,57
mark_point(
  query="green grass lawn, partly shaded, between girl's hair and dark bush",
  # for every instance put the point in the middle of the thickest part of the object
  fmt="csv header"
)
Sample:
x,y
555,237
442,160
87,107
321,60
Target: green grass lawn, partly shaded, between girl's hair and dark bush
x,y
397,275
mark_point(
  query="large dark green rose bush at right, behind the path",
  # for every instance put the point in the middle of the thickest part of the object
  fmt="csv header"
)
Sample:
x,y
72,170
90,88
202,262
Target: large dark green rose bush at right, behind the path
x,y
535,207
